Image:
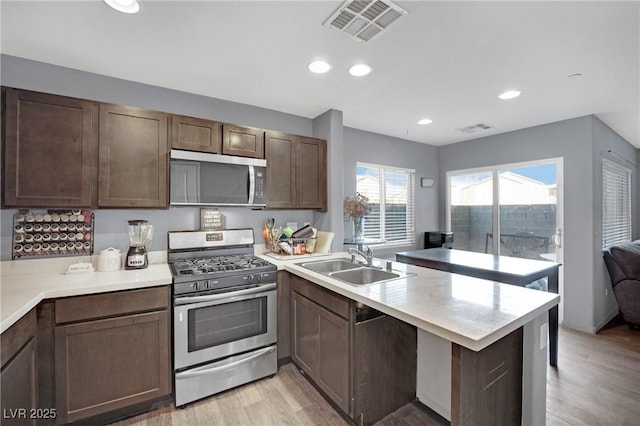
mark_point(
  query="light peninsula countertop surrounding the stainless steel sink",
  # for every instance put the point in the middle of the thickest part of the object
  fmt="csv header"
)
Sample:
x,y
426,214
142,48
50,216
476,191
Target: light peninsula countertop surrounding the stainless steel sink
x,y
471,312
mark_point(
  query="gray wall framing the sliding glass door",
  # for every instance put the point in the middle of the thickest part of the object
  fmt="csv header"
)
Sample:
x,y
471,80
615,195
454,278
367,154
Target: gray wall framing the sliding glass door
x,y
585,306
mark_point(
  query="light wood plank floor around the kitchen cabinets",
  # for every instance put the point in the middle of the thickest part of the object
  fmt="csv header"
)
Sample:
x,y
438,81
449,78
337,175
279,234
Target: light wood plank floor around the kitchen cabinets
x,y
597,383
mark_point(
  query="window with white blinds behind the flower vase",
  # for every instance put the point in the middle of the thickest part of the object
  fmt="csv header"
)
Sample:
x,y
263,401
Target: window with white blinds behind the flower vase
x,y
392,199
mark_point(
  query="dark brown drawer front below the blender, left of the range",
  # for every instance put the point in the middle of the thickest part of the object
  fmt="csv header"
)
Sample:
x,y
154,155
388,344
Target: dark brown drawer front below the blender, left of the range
x,y
81,308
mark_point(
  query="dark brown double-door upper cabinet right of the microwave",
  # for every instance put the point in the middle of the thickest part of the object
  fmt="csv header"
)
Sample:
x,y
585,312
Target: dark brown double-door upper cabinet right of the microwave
x,y
296,171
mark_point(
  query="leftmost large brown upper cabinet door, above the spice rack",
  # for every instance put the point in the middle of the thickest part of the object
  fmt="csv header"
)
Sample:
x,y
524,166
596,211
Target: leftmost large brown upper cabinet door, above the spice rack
x,y
49,145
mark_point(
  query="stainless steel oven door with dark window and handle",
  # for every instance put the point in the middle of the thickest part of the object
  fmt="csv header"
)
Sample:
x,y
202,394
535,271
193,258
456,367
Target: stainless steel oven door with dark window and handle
x,y
215,326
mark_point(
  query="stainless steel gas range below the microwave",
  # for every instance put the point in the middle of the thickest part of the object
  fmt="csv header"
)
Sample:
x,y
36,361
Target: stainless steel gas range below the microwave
x,y
224,312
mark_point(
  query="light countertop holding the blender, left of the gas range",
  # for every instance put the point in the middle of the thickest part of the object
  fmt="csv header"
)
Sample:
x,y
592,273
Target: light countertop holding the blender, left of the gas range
x,y
25,283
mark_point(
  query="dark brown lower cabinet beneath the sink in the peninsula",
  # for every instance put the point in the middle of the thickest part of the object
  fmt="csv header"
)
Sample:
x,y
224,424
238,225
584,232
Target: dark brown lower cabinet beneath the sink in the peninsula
x,y
365,367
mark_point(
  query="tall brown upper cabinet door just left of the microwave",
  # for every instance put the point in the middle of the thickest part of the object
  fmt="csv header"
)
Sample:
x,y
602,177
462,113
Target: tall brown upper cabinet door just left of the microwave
x,y
133,158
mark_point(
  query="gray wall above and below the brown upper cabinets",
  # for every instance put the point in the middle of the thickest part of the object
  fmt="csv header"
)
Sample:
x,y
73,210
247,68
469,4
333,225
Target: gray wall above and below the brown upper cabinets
x,y
111,225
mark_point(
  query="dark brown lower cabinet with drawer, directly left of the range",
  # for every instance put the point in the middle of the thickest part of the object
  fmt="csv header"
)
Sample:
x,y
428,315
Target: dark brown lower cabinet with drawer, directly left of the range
x,y
107,368
